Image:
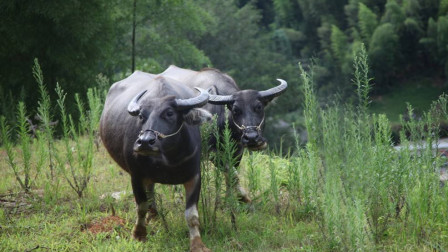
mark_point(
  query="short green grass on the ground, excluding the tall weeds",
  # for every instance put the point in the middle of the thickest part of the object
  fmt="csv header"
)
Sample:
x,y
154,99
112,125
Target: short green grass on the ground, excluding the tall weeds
x,y
62,225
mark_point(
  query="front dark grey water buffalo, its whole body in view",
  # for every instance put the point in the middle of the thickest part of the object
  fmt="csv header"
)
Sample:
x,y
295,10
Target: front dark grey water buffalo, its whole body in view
x,y
150,128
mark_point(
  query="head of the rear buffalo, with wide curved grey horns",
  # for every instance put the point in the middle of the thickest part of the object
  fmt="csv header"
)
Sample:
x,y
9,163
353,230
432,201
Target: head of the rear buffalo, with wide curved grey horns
x,y
247,112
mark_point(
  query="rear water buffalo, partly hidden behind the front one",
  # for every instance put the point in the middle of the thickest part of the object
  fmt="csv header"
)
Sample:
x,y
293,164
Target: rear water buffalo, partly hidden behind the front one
x,y
246,117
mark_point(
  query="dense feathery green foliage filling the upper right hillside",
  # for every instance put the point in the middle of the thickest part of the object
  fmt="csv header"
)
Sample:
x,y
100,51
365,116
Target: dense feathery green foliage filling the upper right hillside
x,y
402,37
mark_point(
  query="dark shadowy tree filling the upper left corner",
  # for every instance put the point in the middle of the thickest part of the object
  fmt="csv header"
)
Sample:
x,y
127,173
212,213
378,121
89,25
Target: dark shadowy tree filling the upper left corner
x,y
72,39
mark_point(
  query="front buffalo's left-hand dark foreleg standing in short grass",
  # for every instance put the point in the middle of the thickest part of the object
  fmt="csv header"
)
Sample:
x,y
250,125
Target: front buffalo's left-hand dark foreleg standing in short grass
x,y
139,233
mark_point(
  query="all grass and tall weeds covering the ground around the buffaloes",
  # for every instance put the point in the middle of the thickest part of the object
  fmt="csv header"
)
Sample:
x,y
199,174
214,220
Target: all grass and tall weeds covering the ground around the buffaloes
x,y
348,189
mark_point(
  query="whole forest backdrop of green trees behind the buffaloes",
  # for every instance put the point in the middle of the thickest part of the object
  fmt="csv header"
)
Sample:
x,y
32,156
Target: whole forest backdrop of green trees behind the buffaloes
x,y
79,41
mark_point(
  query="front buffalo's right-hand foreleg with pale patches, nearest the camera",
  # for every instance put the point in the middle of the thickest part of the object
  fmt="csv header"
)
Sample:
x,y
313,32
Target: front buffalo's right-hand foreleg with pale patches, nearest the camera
x,y
192,190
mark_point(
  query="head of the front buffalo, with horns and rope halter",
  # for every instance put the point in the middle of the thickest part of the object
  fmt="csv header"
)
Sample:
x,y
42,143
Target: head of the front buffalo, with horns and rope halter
x,y
162,120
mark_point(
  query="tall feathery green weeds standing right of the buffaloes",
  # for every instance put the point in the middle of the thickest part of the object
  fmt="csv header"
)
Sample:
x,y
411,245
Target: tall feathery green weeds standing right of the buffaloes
x,y
360,186
